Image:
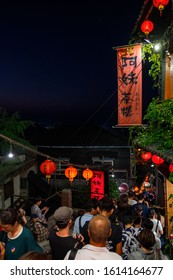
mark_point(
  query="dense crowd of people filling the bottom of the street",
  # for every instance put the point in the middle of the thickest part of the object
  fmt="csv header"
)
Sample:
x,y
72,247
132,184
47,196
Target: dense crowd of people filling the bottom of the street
x,y
130,229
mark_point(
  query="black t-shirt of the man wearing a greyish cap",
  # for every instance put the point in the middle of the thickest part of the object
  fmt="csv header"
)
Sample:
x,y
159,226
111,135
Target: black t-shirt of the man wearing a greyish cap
x,y
60,245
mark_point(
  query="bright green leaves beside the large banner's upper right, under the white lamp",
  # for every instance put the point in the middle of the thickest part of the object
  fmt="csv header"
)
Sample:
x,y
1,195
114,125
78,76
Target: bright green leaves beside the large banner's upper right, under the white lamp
x,y
155,61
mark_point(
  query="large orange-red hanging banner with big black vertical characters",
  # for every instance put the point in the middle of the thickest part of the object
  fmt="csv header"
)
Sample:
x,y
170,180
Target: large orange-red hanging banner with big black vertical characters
x,y
129,64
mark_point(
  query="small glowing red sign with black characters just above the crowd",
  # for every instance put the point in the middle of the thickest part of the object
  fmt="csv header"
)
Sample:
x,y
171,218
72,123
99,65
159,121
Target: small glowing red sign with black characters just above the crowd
x,y
97,185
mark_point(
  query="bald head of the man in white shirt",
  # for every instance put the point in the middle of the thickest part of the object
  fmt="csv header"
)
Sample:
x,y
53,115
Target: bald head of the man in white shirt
x,y
99,230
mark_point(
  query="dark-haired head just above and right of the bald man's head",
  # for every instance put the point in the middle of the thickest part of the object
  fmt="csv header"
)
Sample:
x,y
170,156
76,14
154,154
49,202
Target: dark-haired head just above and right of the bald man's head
x,y
106,206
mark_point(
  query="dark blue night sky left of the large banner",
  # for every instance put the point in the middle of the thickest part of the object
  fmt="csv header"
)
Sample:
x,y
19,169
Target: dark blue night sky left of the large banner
x,y
57,63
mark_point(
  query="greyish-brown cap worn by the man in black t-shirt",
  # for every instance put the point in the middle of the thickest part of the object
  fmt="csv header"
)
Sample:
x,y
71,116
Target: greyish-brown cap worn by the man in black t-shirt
x,y
63,214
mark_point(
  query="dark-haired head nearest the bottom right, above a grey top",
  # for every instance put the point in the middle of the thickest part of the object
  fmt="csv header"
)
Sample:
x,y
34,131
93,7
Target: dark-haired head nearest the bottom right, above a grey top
x,y
146,239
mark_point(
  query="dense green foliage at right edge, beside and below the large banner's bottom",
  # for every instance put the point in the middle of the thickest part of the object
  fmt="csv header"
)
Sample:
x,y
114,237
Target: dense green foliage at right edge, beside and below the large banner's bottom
x,y
159,117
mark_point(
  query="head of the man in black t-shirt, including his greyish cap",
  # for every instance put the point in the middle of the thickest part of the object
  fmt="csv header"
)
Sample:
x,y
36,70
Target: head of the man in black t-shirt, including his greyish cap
x,y
63,217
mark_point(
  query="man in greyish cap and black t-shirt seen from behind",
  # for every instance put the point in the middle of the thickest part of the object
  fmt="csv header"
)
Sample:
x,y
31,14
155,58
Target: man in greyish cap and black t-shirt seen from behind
x,y
60,240
